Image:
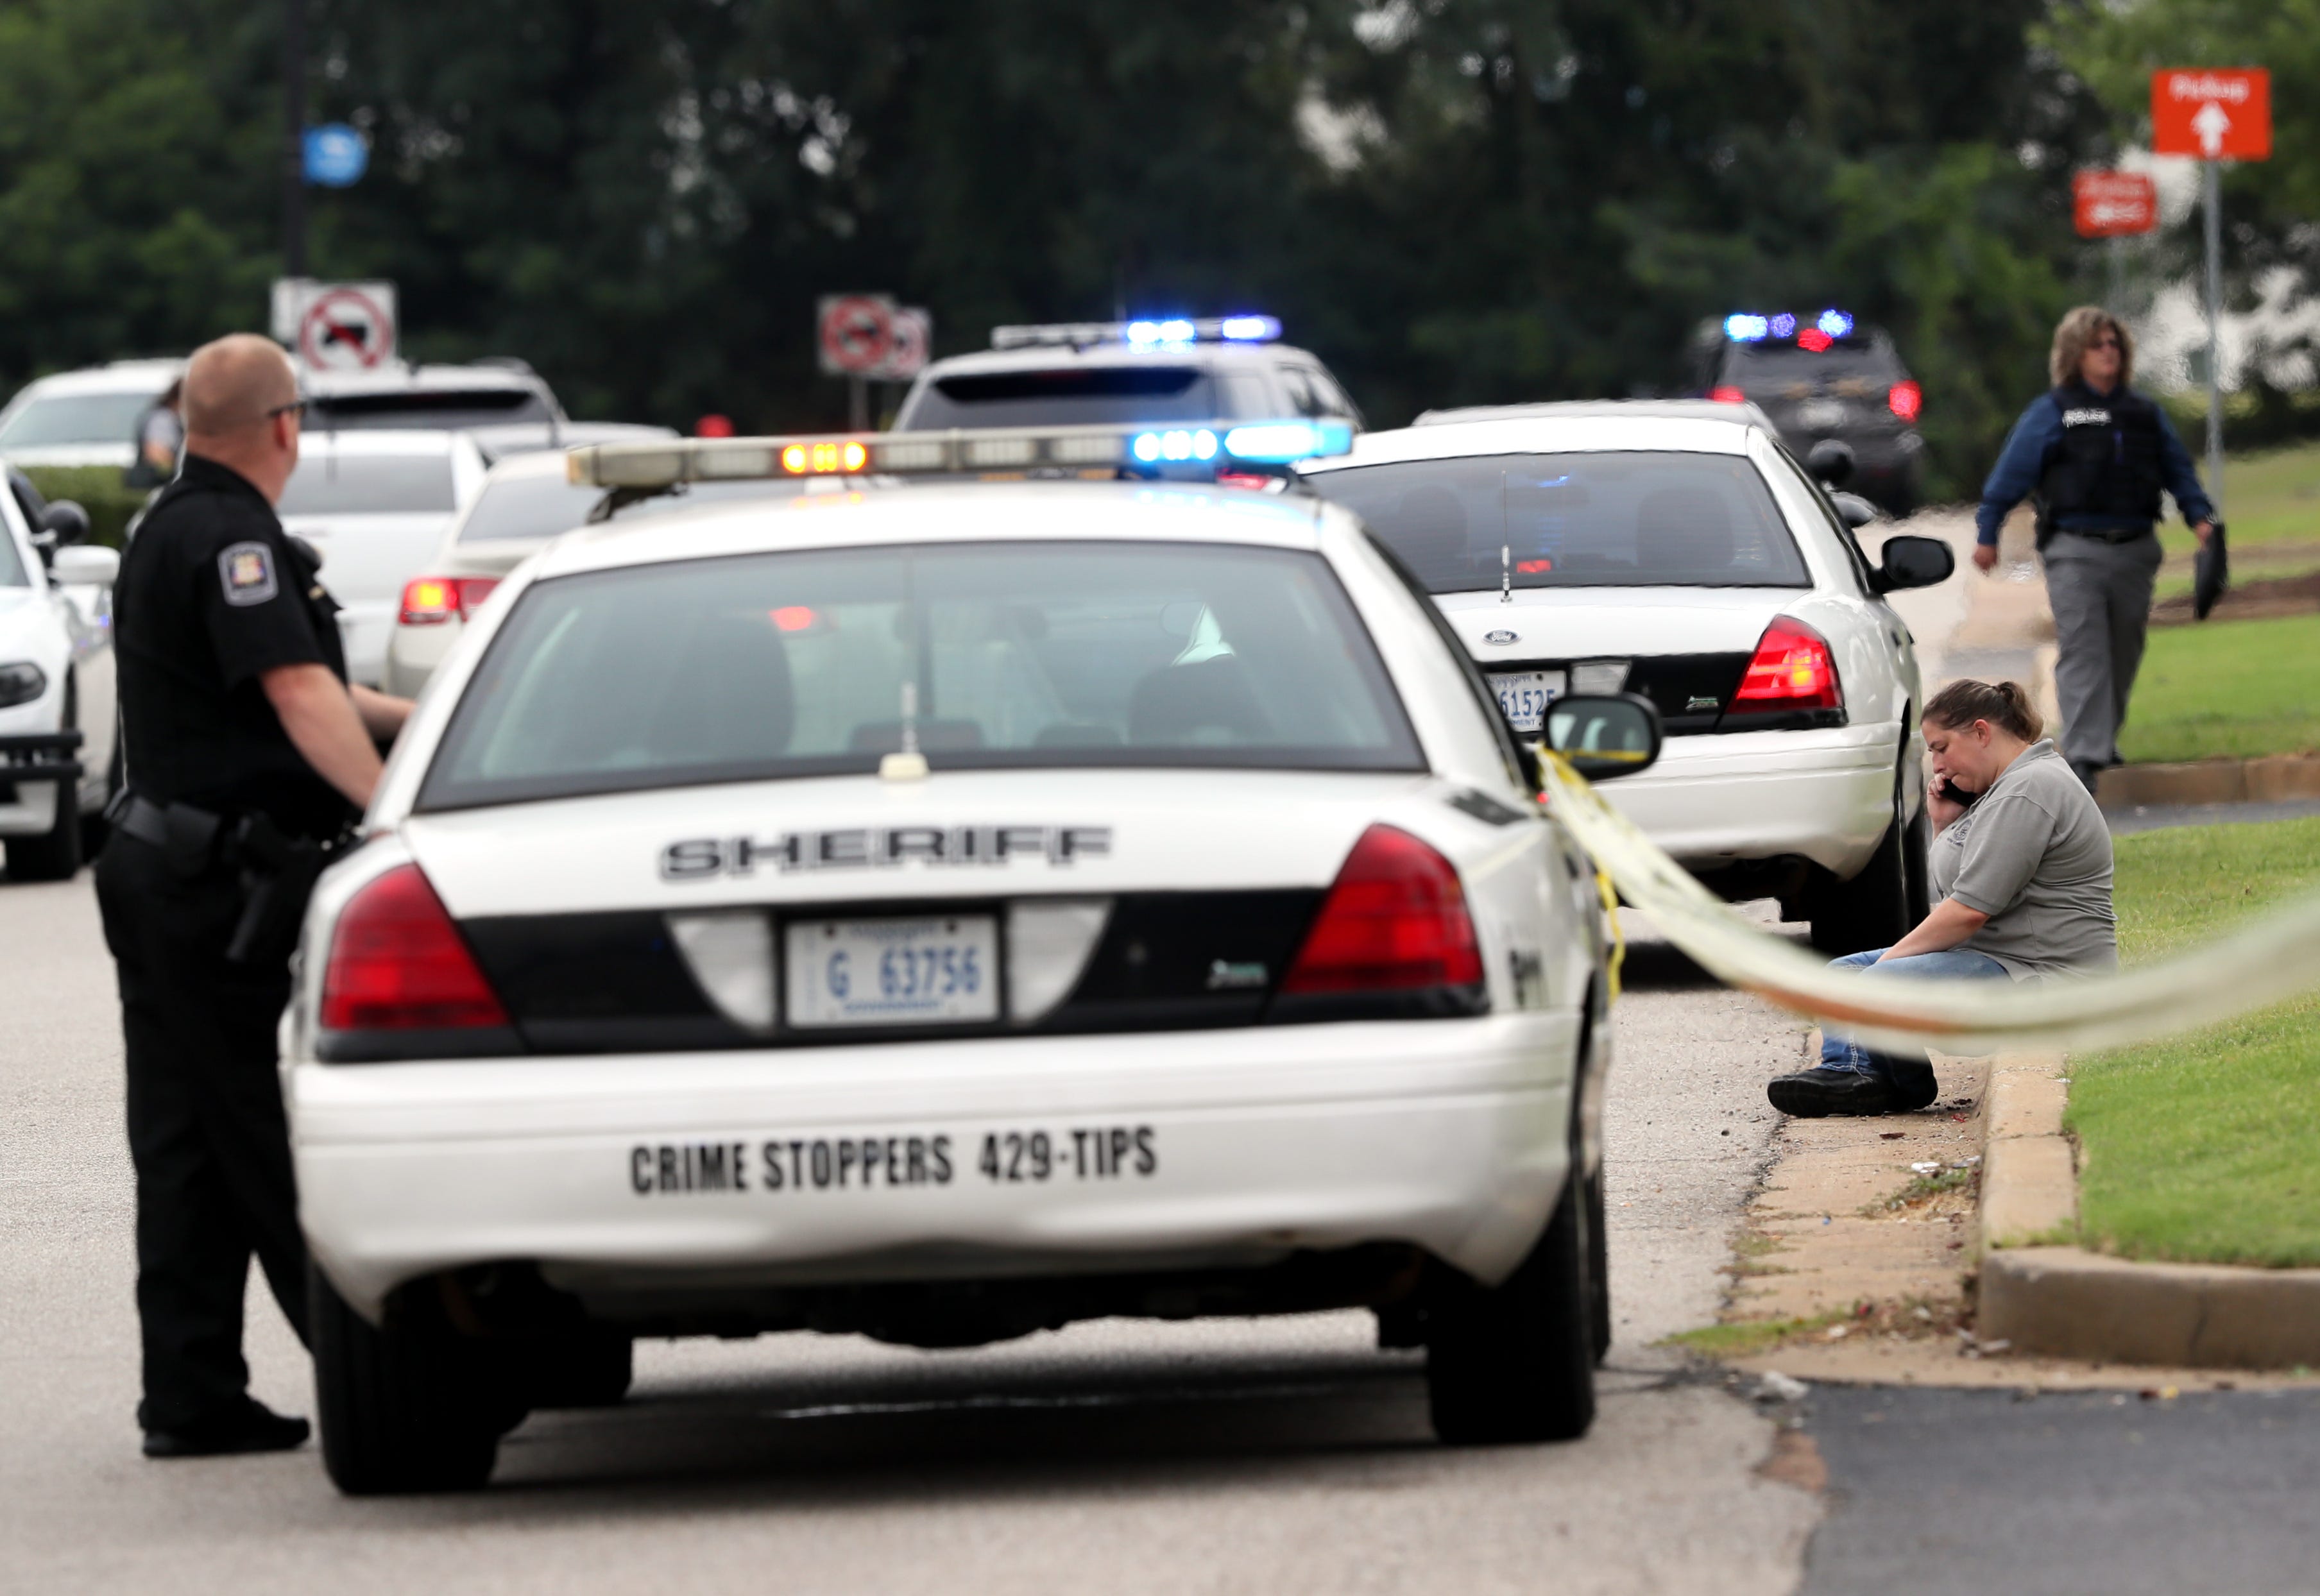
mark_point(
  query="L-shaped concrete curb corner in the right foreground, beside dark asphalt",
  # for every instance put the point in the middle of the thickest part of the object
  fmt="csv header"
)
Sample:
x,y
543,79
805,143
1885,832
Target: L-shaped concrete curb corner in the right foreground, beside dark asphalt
x,y
2071,1303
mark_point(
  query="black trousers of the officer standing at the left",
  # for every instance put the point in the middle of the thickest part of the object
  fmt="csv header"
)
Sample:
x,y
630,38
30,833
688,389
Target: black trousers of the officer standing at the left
x,y
208,1131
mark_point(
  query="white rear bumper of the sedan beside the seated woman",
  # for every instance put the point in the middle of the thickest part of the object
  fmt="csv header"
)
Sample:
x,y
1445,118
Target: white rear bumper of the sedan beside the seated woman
x,y
1713,801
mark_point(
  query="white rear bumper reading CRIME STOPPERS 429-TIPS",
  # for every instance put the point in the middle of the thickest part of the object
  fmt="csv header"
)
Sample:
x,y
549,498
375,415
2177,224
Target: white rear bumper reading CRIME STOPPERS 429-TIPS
x,y
1166,1152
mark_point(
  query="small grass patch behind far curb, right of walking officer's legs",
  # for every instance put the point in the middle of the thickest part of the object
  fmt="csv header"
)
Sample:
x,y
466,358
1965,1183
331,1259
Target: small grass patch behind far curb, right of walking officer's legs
x,y
2228,690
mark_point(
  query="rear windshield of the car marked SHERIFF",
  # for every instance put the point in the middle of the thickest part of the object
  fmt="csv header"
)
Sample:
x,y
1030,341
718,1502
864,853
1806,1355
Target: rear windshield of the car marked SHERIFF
x,y
987,658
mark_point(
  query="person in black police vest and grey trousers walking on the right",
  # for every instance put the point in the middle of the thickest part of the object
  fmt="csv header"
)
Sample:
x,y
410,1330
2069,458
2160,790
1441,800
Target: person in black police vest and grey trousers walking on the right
x,y
2096,454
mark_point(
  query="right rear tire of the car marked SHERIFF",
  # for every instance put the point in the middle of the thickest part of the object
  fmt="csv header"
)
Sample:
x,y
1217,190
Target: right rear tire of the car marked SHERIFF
x,y
1516,1363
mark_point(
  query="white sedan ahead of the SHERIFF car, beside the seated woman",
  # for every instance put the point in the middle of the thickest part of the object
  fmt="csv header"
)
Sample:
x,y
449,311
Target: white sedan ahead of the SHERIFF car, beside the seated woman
x,y
1676,551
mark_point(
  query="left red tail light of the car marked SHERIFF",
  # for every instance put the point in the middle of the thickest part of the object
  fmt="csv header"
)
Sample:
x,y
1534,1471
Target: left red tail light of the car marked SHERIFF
x,y
400,964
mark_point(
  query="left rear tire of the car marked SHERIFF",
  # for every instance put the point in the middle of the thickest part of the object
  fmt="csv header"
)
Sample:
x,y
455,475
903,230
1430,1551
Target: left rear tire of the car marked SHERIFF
x,y
403,1409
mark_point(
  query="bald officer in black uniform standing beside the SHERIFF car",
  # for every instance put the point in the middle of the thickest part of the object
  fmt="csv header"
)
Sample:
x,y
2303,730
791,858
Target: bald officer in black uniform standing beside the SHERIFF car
x,y
247,753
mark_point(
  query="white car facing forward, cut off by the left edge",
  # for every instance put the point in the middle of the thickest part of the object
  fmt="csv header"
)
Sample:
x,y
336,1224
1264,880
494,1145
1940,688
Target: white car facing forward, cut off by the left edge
x,y
57,695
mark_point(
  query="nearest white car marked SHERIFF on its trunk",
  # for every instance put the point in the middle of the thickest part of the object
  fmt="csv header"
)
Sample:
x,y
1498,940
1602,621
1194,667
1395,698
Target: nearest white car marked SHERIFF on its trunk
x,y
948,913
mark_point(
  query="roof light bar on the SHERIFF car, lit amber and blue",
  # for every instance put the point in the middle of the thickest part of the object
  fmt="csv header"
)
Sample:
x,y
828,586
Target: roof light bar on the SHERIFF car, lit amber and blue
x,y
1140,451
